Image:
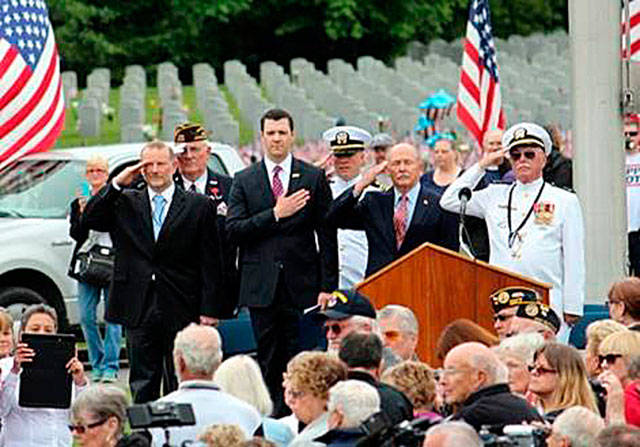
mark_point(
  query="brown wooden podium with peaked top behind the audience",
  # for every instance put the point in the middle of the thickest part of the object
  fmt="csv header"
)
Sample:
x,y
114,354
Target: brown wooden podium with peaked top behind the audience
x,y
440,285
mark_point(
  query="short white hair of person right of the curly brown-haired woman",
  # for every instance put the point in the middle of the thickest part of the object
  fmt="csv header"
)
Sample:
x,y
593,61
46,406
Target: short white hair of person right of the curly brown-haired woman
x,y
355,400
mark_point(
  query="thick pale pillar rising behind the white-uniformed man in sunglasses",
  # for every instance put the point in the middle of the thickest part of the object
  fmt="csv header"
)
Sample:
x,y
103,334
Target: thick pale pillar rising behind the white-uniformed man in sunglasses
x,y
598,168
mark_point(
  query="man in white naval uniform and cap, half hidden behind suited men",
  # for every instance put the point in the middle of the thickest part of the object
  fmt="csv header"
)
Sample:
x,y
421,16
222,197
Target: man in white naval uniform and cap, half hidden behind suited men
x,y
347,146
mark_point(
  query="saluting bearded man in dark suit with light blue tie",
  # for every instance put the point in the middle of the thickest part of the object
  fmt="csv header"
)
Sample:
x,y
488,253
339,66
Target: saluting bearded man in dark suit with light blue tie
x,y
166,267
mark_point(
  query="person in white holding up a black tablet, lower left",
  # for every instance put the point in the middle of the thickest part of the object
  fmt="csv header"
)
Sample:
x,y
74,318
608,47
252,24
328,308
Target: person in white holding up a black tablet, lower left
x,y
23,426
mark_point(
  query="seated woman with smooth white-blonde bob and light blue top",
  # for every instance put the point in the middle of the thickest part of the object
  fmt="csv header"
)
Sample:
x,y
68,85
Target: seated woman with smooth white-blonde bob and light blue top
x,y
240,376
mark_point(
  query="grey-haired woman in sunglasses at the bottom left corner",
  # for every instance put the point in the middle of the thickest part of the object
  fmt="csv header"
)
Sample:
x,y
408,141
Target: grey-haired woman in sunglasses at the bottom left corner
x,y
98,417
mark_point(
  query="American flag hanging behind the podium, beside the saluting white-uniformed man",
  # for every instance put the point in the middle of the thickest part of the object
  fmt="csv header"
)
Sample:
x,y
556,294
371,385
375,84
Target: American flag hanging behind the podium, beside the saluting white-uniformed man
x,y
479,105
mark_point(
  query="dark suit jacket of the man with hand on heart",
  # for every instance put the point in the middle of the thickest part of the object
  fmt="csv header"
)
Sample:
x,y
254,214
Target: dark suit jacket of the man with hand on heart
x,y
286,249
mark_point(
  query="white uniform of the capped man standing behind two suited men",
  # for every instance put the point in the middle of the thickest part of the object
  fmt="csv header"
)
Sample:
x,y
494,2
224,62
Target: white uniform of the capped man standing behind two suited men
x,y
353,248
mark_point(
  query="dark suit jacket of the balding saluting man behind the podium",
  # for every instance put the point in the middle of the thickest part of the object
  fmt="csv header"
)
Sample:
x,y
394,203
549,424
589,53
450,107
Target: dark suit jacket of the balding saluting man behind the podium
x,y
374,214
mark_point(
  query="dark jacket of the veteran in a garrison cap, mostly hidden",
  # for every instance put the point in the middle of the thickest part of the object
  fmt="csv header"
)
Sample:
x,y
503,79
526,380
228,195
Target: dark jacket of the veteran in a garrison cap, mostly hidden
x,y
217,188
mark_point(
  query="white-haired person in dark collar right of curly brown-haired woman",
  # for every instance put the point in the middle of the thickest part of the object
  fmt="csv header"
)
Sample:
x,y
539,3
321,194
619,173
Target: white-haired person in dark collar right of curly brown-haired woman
x,y
351,402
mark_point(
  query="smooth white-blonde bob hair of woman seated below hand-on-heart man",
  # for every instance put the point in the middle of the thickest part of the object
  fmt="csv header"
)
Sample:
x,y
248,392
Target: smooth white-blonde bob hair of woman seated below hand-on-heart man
x,y
240,376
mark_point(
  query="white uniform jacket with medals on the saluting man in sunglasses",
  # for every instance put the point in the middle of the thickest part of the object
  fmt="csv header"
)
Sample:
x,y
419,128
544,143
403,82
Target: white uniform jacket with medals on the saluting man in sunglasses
x,y
551,243
